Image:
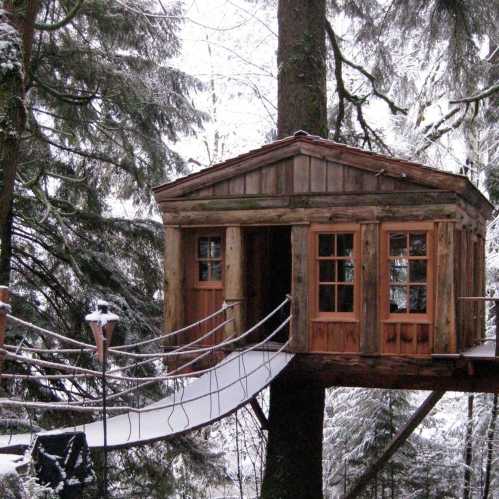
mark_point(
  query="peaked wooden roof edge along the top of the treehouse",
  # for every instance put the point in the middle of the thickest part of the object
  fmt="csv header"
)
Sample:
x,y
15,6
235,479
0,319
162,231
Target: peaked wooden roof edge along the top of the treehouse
x,y
302,143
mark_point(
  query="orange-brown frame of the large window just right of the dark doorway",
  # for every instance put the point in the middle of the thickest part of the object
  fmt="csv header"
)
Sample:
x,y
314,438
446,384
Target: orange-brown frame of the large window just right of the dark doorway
x,y
315,232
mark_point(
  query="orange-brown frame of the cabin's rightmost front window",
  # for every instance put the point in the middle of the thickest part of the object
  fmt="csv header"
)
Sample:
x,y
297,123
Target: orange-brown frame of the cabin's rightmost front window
x,y
408,227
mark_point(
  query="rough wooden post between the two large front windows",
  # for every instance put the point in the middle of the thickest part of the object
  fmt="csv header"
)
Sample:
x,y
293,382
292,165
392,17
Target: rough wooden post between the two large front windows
x,y
369,333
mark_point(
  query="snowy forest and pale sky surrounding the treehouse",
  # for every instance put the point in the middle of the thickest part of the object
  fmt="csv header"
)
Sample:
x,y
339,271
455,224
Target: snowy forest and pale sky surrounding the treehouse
x,y
101,100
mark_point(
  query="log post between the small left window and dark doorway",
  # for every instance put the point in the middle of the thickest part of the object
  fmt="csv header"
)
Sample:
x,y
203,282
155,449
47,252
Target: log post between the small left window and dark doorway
x,y
234,280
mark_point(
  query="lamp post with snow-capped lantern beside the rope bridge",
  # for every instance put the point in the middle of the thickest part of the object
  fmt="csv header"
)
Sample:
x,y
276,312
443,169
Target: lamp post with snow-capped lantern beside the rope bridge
x,y
102,323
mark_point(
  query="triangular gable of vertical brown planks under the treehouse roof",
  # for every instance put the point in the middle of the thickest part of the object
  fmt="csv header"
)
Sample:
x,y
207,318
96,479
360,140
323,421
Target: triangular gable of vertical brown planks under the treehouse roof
x,y
303,175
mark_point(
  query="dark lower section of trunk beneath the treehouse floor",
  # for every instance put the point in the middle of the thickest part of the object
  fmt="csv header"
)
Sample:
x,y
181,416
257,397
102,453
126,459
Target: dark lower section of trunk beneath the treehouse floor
x,y
294,450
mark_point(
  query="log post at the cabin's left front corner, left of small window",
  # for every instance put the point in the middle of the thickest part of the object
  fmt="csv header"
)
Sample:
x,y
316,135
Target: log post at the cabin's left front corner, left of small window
x,y
174,278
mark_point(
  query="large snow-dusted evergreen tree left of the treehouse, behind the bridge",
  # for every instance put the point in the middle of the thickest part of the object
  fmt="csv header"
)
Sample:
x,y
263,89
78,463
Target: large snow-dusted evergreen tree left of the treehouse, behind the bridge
x,y
101,108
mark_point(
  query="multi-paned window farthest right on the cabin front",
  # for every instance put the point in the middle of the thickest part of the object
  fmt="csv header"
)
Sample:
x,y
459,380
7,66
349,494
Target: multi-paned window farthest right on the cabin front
x,y
408,271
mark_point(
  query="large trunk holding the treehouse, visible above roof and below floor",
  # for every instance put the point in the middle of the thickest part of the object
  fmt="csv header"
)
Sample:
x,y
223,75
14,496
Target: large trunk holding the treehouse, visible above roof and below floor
x,y
293,467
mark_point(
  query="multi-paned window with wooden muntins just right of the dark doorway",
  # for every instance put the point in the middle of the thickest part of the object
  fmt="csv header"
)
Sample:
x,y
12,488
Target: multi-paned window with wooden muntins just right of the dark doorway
x,y
336,272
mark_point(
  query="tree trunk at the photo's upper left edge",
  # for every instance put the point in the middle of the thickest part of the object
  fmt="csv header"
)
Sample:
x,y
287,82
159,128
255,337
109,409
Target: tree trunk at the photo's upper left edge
x,y
15,56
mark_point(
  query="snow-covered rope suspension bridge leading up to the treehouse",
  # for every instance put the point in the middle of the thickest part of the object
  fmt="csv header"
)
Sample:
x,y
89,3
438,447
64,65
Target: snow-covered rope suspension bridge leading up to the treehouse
x,y
214,392
